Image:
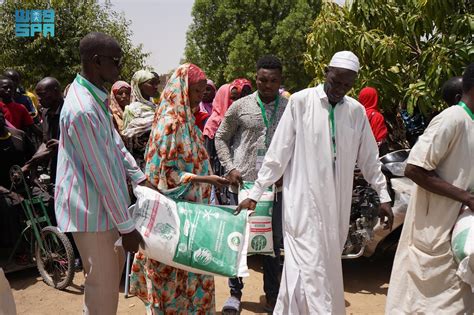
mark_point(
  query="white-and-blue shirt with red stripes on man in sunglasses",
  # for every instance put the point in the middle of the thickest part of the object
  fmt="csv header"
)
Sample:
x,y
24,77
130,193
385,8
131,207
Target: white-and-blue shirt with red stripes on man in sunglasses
x,y
93,163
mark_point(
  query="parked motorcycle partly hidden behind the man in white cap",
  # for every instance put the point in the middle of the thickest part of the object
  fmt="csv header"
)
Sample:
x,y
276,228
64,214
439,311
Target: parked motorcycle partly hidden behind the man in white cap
x,y
365,231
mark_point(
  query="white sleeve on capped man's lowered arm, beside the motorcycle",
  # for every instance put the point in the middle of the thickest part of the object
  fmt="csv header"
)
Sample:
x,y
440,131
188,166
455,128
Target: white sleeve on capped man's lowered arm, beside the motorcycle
x,y
369,164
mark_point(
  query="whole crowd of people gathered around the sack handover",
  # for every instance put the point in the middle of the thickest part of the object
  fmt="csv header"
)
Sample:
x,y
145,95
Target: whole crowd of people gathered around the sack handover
x,y
198,142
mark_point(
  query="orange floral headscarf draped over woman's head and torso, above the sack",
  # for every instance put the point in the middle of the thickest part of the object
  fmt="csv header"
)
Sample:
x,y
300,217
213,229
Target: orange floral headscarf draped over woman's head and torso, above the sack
x,y
175,151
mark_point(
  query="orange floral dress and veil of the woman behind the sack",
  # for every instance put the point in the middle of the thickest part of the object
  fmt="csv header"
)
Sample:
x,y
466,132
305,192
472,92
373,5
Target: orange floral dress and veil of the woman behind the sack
x,y
175,154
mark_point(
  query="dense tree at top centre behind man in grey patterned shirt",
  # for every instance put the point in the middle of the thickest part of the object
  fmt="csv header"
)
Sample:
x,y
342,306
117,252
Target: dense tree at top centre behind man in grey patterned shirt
x,y
227,37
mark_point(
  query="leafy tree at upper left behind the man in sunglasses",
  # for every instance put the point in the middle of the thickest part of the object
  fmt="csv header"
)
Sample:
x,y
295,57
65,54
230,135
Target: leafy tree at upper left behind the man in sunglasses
x,y
58,56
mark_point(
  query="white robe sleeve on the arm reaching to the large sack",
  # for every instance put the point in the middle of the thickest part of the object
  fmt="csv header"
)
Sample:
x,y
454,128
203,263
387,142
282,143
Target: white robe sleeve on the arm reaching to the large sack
x,y
278,155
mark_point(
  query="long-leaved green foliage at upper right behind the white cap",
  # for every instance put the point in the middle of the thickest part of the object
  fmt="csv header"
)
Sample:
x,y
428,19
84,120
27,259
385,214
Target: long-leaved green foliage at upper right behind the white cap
x,y
407,49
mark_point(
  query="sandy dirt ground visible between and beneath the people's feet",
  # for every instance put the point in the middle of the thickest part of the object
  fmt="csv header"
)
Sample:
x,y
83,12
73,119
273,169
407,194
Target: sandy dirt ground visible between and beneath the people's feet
x,y
365,282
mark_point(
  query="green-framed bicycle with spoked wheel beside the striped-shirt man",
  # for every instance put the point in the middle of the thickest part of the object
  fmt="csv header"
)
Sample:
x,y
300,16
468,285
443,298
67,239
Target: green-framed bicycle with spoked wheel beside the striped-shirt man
x,y
51,249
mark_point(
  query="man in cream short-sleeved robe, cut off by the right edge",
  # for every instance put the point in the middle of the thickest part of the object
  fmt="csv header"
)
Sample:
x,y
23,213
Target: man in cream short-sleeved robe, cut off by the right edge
x,y
441,164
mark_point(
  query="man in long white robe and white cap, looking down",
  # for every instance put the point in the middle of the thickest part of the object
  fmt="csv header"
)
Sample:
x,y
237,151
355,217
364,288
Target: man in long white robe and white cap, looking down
x,y
317,156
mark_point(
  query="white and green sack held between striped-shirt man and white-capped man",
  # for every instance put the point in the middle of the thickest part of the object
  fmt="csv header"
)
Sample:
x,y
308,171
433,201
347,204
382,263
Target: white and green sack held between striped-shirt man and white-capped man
x,y
199,238
